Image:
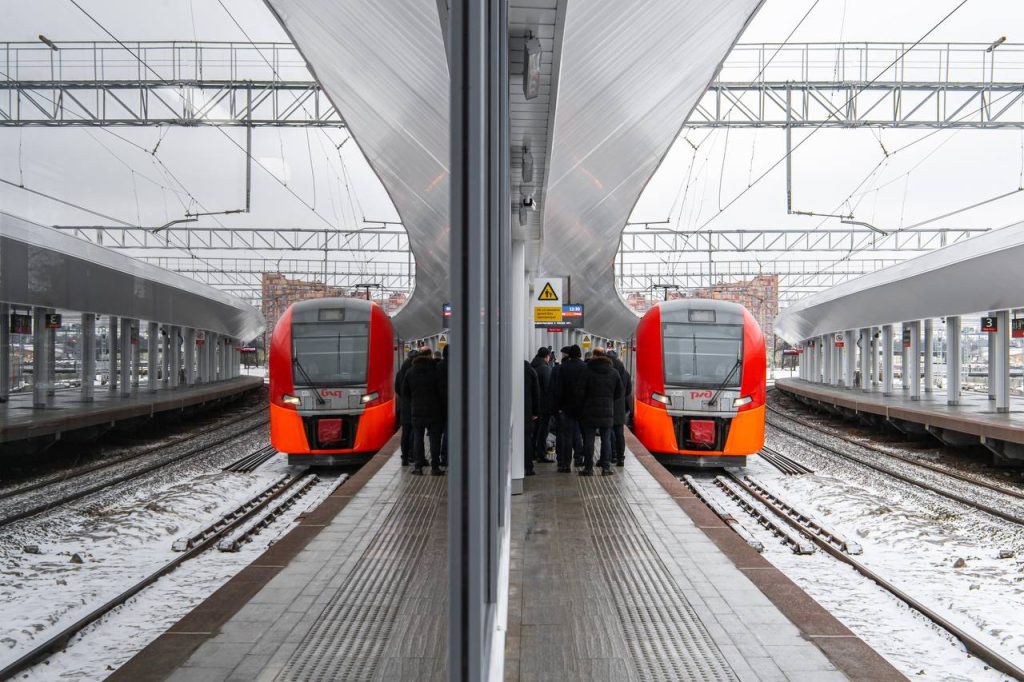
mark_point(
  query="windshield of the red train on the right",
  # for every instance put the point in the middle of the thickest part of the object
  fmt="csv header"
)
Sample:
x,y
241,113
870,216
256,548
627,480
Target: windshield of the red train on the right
x,y
704,355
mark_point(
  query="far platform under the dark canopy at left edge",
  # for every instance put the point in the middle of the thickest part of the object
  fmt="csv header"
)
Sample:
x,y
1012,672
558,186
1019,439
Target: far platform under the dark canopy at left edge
x,y
68,417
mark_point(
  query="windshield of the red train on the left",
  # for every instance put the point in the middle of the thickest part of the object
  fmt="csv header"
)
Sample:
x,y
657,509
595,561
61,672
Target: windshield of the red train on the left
x,y
330,354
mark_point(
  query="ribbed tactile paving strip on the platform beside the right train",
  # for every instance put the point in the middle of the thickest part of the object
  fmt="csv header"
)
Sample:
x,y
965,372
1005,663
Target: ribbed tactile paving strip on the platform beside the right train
x,y
666,637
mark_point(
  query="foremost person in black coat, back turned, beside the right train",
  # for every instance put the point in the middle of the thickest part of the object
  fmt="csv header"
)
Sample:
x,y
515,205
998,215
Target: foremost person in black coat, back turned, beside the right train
x,y
600,390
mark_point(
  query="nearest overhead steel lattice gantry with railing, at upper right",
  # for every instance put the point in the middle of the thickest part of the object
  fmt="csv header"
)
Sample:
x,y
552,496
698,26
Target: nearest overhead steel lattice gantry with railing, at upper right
x,y
851,86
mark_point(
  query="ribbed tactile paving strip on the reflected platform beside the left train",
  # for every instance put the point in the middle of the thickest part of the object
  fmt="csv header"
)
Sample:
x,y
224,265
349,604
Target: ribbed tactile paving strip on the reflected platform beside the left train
x,y
352,633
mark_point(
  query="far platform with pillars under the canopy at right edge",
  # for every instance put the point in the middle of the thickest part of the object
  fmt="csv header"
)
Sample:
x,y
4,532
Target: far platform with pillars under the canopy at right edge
x,y
974,421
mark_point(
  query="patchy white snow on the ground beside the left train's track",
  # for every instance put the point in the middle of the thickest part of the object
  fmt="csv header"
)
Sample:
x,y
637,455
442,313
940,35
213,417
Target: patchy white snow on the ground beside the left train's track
x,y
120,537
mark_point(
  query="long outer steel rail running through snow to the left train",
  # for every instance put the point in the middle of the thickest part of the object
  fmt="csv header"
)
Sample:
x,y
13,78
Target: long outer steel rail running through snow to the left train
x,y
61,641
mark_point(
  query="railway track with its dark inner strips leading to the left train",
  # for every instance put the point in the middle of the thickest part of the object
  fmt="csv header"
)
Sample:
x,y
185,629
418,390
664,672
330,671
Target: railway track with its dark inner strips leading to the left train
x,y
196,544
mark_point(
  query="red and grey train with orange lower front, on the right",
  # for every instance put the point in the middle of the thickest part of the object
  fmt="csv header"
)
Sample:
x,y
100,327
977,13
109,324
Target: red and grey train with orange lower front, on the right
x,y
700,387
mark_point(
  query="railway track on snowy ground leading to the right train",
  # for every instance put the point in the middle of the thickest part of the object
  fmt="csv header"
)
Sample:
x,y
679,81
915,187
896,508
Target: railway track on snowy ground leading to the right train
x,y
842,550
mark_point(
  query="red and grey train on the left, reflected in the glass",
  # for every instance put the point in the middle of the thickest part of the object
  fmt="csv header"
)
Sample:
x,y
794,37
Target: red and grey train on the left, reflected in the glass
x,y
332,373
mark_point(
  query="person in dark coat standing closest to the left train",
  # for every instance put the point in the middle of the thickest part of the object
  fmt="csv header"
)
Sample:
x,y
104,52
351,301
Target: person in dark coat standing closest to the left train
x,y
425,390
